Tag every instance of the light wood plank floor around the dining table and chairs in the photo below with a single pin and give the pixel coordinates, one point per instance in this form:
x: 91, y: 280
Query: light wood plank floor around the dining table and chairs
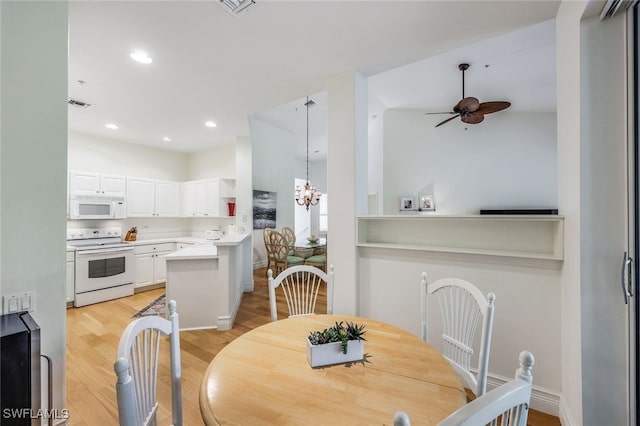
x: 93, y: 333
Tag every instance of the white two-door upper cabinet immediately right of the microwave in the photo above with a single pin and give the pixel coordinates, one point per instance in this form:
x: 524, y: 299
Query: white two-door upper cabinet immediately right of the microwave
x: 149, y: 197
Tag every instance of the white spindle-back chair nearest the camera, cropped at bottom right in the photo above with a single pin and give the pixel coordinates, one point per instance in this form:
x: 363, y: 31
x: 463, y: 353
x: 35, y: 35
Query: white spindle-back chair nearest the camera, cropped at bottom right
x: 506, y: 405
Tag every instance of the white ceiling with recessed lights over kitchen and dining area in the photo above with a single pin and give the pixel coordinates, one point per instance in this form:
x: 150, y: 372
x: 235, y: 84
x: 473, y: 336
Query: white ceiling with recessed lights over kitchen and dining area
x: 209, y: 65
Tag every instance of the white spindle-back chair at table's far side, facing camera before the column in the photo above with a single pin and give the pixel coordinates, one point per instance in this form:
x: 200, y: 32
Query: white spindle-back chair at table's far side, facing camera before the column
x: 300, y: 285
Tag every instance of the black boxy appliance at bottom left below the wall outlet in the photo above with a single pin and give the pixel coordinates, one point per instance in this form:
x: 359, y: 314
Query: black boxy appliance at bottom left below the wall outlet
x: 20, y: 367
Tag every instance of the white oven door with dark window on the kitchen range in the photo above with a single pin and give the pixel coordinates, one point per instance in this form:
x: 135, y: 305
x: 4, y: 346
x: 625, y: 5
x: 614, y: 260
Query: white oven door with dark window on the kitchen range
x: 103, y: 268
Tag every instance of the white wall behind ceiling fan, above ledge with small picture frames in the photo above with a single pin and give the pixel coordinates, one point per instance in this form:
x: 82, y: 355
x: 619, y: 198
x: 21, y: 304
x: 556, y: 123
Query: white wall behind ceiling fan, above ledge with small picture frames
x: 508, y: 161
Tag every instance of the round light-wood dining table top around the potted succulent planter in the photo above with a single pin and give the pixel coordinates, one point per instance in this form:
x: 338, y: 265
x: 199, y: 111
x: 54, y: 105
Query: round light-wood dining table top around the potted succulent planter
x: 263, y: 377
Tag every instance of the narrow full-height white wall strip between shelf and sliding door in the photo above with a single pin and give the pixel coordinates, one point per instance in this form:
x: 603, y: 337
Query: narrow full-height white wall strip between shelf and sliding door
x: 568, y: 84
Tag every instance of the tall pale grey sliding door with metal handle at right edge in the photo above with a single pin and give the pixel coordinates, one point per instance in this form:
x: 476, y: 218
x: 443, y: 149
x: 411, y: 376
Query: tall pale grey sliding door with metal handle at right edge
x: 606, y: 179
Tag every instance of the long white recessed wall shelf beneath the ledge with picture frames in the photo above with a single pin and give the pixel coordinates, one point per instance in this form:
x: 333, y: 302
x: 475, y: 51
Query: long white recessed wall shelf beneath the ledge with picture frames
x: 519, y: 236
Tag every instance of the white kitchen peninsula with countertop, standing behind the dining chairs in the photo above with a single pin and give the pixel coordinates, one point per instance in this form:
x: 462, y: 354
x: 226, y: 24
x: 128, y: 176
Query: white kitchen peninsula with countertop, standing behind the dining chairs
x: 207, y: 281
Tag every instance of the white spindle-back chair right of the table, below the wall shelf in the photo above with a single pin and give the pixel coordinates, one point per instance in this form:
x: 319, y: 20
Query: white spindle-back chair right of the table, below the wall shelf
x: 462, y: 306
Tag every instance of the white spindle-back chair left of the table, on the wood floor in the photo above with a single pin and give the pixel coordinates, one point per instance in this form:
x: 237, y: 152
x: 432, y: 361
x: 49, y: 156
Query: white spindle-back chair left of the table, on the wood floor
x: 136, y: 368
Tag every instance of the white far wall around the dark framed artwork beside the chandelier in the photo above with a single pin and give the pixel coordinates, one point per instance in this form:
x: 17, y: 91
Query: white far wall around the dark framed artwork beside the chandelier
x: 273, y: 170
